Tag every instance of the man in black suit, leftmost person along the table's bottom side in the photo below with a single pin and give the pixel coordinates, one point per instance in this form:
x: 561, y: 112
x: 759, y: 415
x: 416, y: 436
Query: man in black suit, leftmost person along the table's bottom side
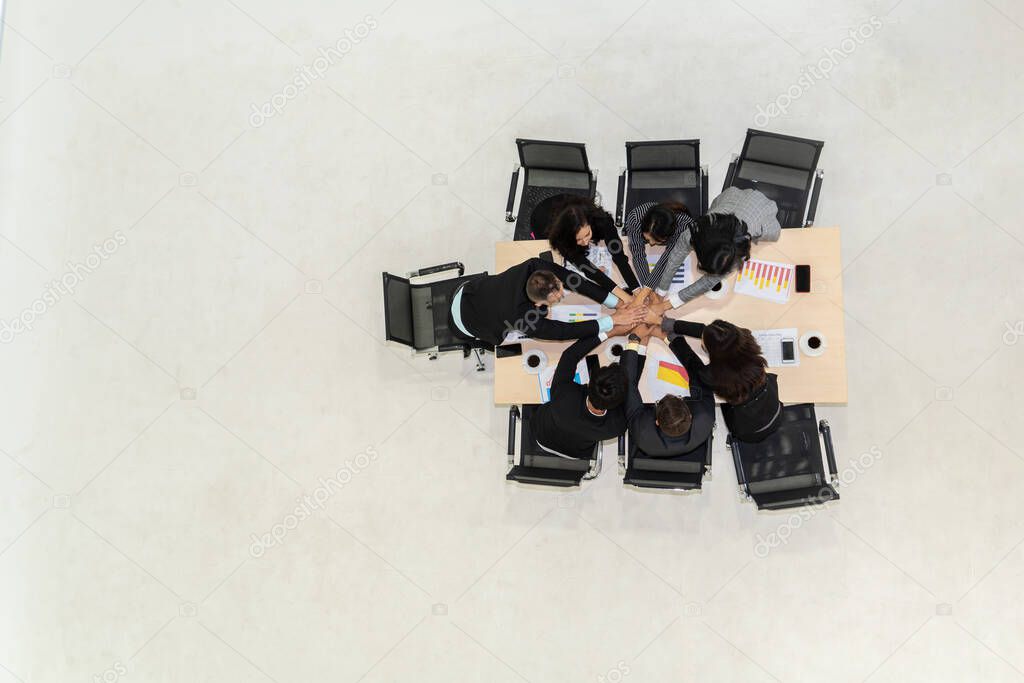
x: 578, y: 417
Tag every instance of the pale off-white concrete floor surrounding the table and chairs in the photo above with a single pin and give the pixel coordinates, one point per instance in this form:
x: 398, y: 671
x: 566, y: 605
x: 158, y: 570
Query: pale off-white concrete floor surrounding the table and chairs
x: 225, y: 354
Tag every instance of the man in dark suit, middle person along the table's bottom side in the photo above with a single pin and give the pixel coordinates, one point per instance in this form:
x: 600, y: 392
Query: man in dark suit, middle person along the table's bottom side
x: 673, y: 426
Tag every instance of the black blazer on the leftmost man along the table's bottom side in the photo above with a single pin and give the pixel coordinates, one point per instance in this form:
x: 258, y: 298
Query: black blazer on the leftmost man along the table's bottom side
x: 565, y: 424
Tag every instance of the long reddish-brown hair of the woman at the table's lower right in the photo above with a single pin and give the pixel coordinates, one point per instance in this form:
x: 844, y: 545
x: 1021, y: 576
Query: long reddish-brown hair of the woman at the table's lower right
x: 737, y: 365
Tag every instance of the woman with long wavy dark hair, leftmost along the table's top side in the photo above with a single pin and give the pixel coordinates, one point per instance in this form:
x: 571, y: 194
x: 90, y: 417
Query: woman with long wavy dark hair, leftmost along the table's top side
x: 578, y: 225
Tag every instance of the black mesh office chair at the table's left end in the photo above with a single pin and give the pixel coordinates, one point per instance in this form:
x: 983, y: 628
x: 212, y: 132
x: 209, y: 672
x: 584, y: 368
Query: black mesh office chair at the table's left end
x: 416, y: 315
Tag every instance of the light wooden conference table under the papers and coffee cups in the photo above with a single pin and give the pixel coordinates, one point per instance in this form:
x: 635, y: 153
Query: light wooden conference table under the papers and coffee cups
x: 820, y: 379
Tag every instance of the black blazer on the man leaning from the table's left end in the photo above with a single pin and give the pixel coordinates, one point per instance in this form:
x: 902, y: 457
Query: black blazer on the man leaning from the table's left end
x: 494, y: 306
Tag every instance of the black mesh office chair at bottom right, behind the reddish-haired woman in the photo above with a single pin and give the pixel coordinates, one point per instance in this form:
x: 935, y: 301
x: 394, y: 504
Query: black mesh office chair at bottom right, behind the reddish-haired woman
x: 786, y: 471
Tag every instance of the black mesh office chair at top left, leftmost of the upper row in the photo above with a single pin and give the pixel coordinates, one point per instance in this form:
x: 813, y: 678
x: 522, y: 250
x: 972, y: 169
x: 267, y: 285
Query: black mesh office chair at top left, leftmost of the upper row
x: 551, y: 168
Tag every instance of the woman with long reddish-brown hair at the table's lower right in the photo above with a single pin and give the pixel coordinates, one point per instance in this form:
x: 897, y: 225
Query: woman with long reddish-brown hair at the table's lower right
x: 738, y: 373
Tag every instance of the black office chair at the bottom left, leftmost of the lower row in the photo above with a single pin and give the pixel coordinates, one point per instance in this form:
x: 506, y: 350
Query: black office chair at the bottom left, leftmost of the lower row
x: 539, y: 467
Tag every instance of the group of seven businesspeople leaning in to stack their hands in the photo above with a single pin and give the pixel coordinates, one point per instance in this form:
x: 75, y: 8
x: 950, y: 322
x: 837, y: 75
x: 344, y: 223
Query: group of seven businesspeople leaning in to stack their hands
x: 578, y: 417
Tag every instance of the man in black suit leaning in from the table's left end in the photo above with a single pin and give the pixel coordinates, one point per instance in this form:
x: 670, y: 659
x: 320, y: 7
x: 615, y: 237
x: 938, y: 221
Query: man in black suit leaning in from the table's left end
x: 492, y: 307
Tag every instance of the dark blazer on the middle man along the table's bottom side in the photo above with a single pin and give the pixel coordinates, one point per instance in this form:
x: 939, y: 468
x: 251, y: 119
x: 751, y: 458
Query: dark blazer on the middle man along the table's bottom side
x: 645, y: 434
